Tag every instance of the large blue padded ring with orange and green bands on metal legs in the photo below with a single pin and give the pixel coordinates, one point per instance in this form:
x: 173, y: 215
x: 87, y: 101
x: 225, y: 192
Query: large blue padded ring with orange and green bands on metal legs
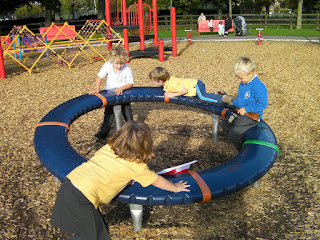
x: 254, y: 160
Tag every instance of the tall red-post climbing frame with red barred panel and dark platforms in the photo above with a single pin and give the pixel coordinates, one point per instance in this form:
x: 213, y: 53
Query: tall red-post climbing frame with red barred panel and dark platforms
x: 139, y: 20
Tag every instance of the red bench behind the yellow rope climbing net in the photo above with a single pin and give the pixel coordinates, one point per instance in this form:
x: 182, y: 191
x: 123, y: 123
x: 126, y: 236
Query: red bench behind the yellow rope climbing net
x: 68, y: 32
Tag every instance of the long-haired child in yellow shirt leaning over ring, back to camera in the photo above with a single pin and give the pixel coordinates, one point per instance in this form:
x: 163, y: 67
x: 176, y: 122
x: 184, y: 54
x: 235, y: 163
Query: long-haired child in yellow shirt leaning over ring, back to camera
x: 100, y: 179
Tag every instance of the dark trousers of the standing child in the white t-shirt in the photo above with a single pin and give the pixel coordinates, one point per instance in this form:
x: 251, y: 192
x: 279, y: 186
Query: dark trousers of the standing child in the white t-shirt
x: 109, y: 116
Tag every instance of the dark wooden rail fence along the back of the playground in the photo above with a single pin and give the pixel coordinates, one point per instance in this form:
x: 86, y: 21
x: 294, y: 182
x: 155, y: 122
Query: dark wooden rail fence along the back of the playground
x: 287, y: 21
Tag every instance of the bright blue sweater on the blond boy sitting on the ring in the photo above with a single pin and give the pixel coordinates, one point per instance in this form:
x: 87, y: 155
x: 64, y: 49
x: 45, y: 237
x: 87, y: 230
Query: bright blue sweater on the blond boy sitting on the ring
x: 253, y: 96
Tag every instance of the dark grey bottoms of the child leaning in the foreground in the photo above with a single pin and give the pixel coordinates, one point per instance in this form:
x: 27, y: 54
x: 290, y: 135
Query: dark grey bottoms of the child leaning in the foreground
x: 74, y: 213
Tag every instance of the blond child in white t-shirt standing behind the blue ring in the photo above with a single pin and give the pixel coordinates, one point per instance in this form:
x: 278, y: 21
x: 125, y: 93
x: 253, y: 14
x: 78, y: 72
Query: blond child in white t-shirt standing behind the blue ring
x: 119, y: 77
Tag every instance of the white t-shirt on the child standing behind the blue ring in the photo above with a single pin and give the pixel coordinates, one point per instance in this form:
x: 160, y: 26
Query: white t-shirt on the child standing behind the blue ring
x: 115, y: 80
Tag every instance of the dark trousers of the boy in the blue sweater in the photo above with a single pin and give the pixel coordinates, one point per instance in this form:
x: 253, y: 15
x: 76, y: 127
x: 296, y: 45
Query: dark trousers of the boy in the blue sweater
x: 236, y: 129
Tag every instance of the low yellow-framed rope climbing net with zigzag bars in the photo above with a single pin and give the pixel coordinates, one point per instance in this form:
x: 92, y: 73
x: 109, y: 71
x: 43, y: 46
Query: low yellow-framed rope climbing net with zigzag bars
x: 46, y: 43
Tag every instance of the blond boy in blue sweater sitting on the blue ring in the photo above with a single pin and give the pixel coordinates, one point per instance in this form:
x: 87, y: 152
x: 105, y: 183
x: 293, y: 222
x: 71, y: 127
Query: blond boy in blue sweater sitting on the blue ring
x: 252, y: 97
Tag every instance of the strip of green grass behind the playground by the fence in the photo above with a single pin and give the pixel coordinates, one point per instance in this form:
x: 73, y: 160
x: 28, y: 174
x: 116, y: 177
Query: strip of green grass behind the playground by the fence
x: 270, y: 31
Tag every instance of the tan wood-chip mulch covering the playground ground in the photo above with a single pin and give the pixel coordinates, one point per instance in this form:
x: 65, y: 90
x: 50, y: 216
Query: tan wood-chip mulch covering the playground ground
x: 286, y: 206
